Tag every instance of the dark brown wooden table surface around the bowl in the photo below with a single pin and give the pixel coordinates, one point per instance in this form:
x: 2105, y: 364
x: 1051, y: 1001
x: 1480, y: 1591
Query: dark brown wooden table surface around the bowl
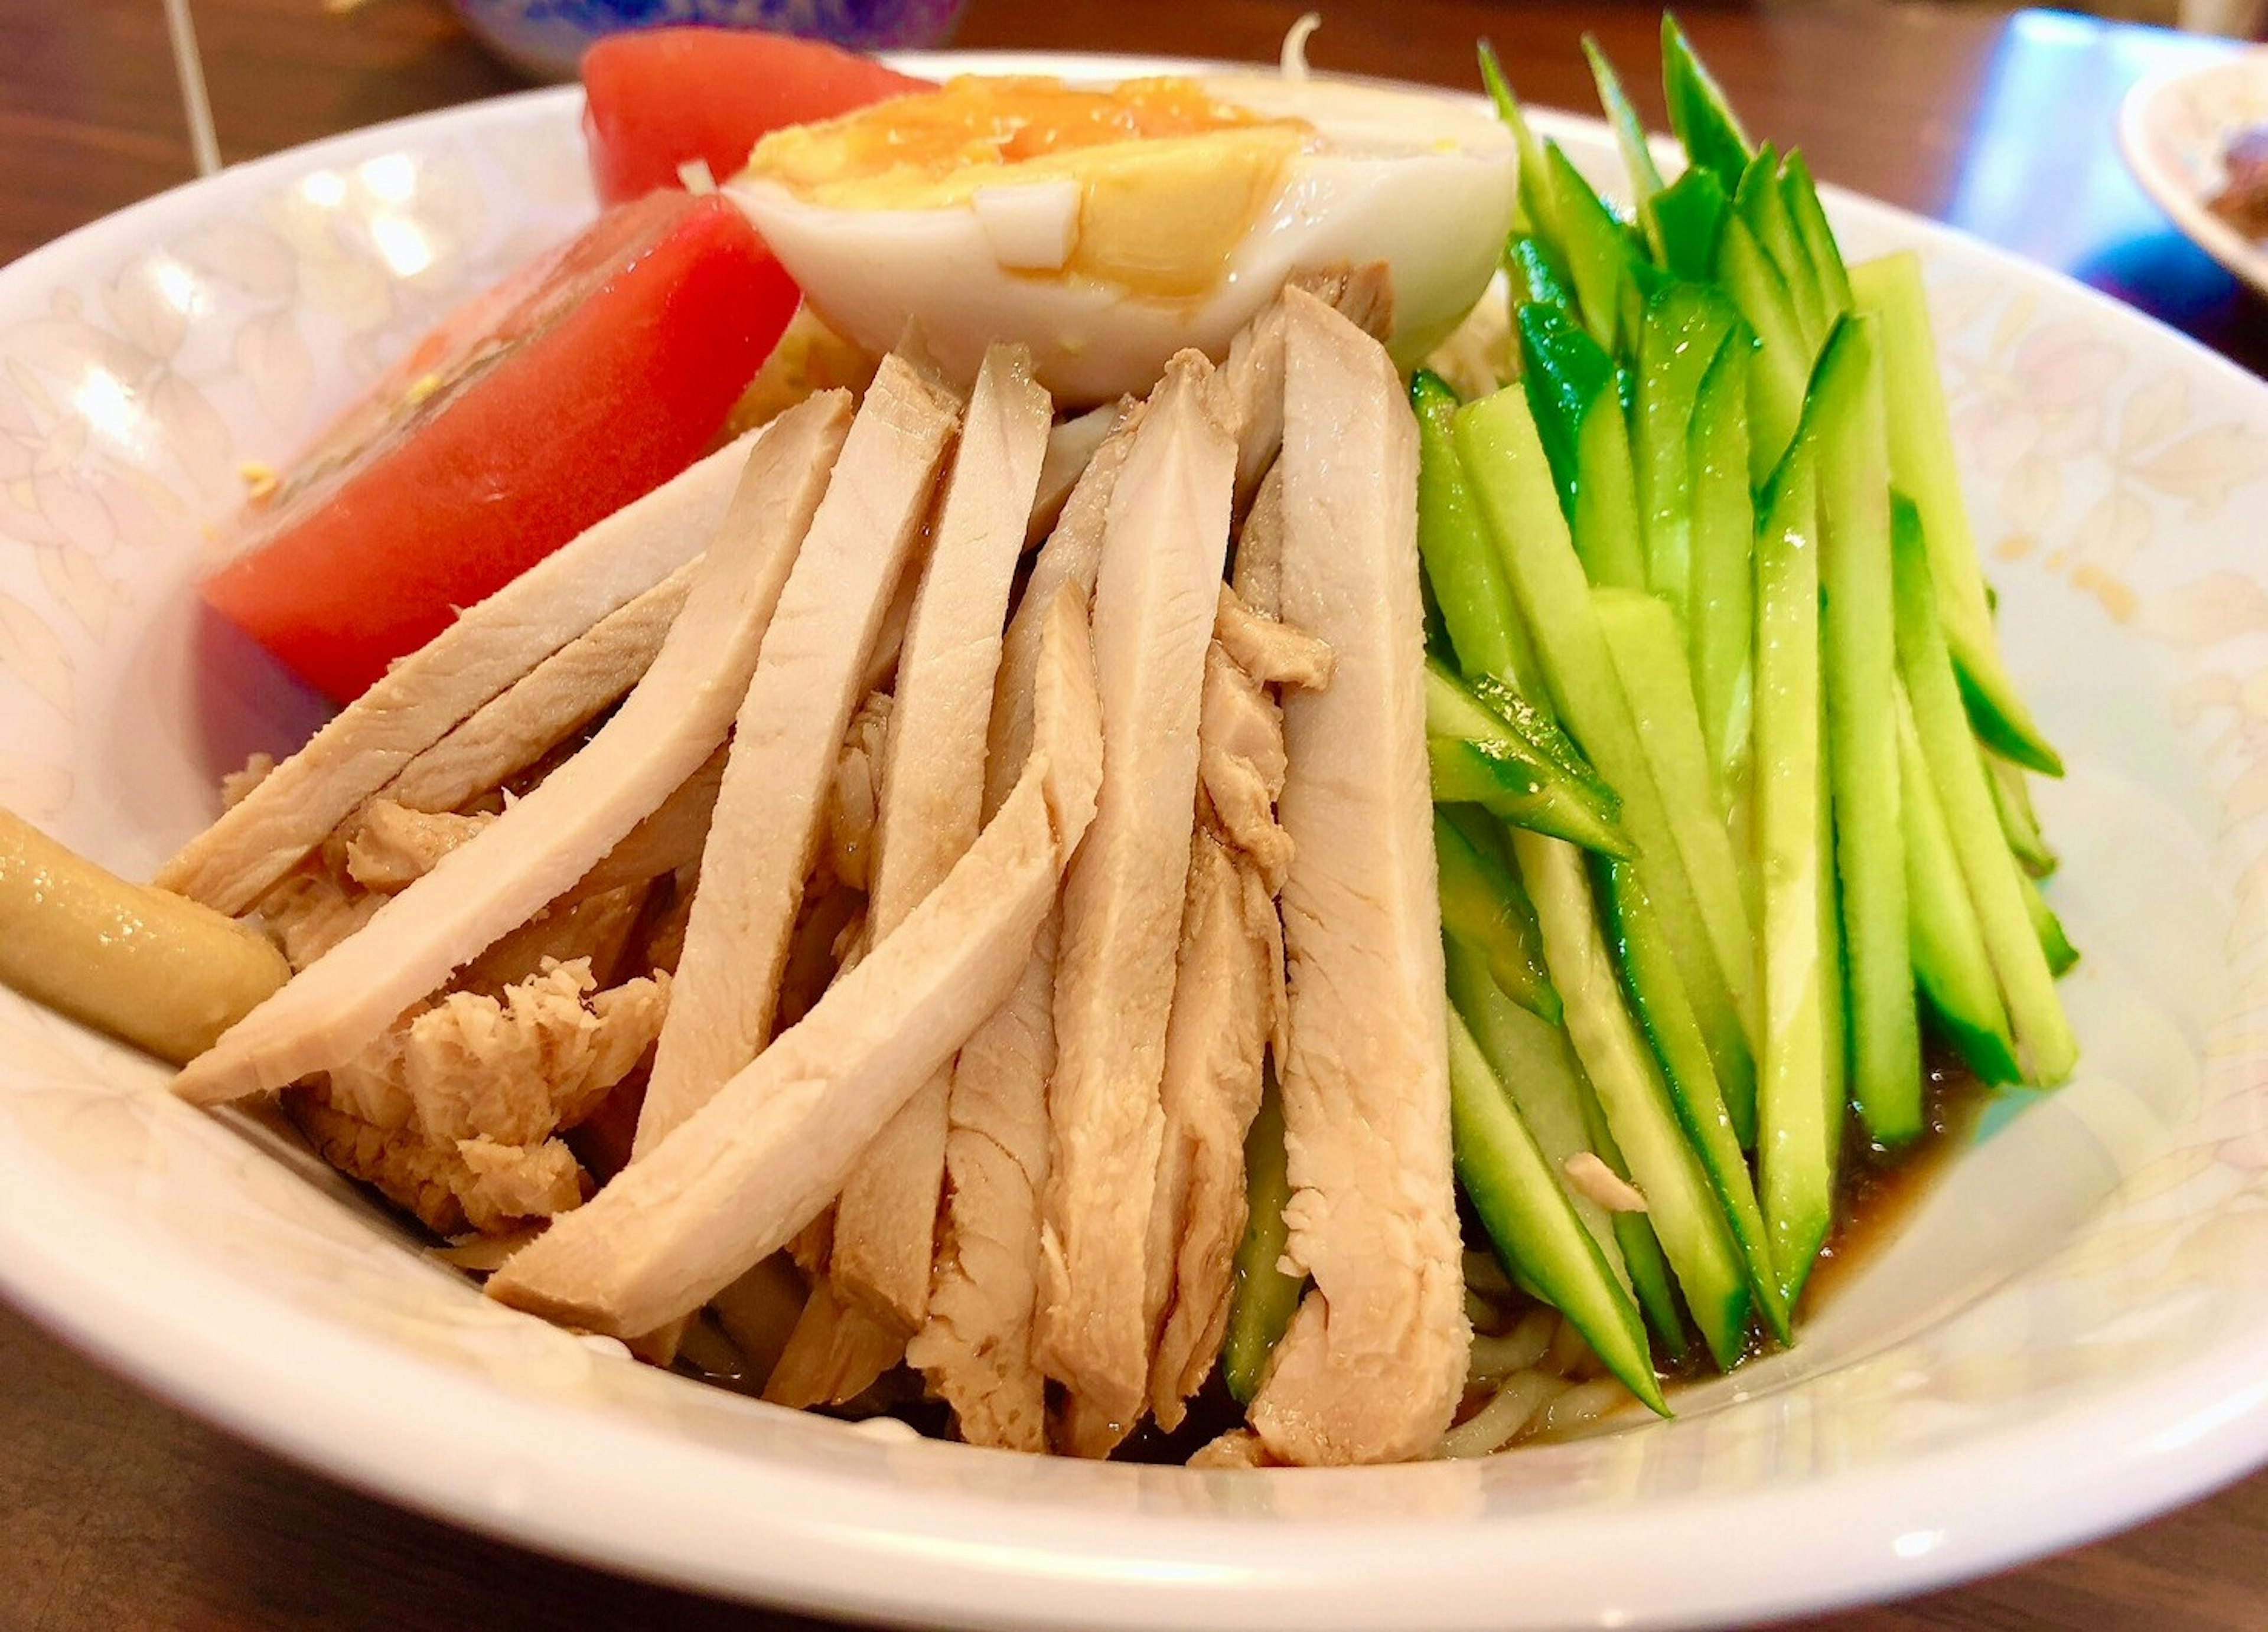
x: 121, y: 1513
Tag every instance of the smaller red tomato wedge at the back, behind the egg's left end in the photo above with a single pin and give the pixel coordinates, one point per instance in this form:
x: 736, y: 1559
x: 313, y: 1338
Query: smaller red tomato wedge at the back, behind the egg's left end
x: 657, y: 99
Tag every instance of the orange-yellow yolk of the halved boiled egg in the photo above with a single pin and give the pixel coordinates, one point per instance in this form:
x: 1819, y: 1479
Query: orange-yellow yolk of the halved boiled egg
x: 1169, y: 180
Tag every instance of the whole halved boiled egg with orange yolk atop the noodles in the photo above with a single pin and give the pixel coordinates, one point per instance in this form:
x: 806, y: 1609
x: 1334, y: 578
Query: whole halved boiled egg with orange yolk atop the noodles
x: 1108, y: 228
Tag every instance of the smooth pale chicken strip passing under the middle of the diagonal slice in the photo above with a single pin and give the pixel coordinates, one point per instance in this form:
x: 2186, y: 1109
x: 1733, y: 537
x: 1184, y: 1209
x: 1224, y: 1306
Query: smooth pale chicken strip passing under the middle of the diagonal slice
x: 933, y: 804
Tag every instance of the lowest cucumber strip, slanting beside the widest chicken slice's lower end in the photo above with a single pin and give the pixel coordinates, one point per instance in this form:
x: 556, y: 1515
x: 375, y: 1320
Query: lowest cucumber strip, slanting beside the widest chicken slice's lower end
x: 1525, y: 1212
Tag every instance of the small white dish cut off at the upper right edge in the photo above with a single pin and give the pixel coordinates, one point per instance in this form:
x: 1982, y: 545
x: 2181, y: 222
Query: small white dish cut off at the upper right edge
x: 2174, y: 128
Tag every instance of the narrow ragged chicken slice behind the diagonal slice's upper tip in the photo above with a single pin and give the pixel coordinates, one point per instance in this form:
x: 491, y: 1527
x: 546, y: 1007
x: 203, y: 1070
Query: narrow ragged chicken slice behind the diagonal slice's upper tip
x: 976, y: 1348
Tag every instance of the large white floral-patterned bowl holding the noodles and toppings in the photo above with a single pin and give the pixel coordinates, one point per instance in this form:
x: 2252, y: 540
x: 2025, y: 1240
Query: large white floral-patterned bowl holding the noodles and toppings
x: 2072, y: 1334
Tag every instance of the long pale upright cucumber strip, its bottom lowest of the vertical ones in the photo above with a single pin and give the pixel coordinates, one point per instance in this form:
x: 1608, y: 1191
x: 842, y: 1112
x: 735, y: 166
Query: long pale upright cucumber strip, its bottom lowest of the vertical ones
x: 1800, y: 1078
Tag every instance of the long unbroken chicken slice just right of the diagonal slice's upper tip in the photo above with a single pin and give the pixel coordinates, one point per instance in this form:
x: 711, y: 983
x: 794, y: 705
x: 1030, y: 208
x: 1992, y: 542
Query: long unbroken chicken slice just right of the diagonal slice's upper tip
x: 1156, y: 602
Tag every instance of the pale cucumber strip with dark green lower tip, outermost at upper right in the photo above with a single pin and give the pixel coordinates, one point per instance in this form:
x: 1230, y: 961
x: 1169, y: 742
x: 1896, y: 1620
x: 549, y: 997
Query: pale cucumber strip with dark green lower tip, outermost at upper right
x: 1927, y: 473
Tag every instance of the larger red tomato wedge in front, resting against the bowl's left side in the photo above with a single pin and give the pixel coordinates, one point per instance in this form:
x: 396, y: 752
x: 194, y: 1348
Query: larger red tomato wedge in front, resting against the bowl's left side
x: 534, y: 411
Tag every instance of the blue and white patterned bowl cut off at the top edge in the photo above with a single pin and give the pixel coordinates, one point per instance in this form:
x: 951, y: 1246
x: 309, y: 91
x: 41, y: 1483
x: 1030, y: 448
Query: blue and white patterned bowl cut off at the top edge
x: 548, y: 37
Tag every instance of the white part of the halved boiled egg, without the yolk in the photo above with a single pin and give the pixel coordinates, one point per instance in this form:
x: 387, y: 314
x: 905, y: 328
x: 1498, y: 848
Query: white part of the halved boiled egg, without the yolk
x: 1403, y: 178
